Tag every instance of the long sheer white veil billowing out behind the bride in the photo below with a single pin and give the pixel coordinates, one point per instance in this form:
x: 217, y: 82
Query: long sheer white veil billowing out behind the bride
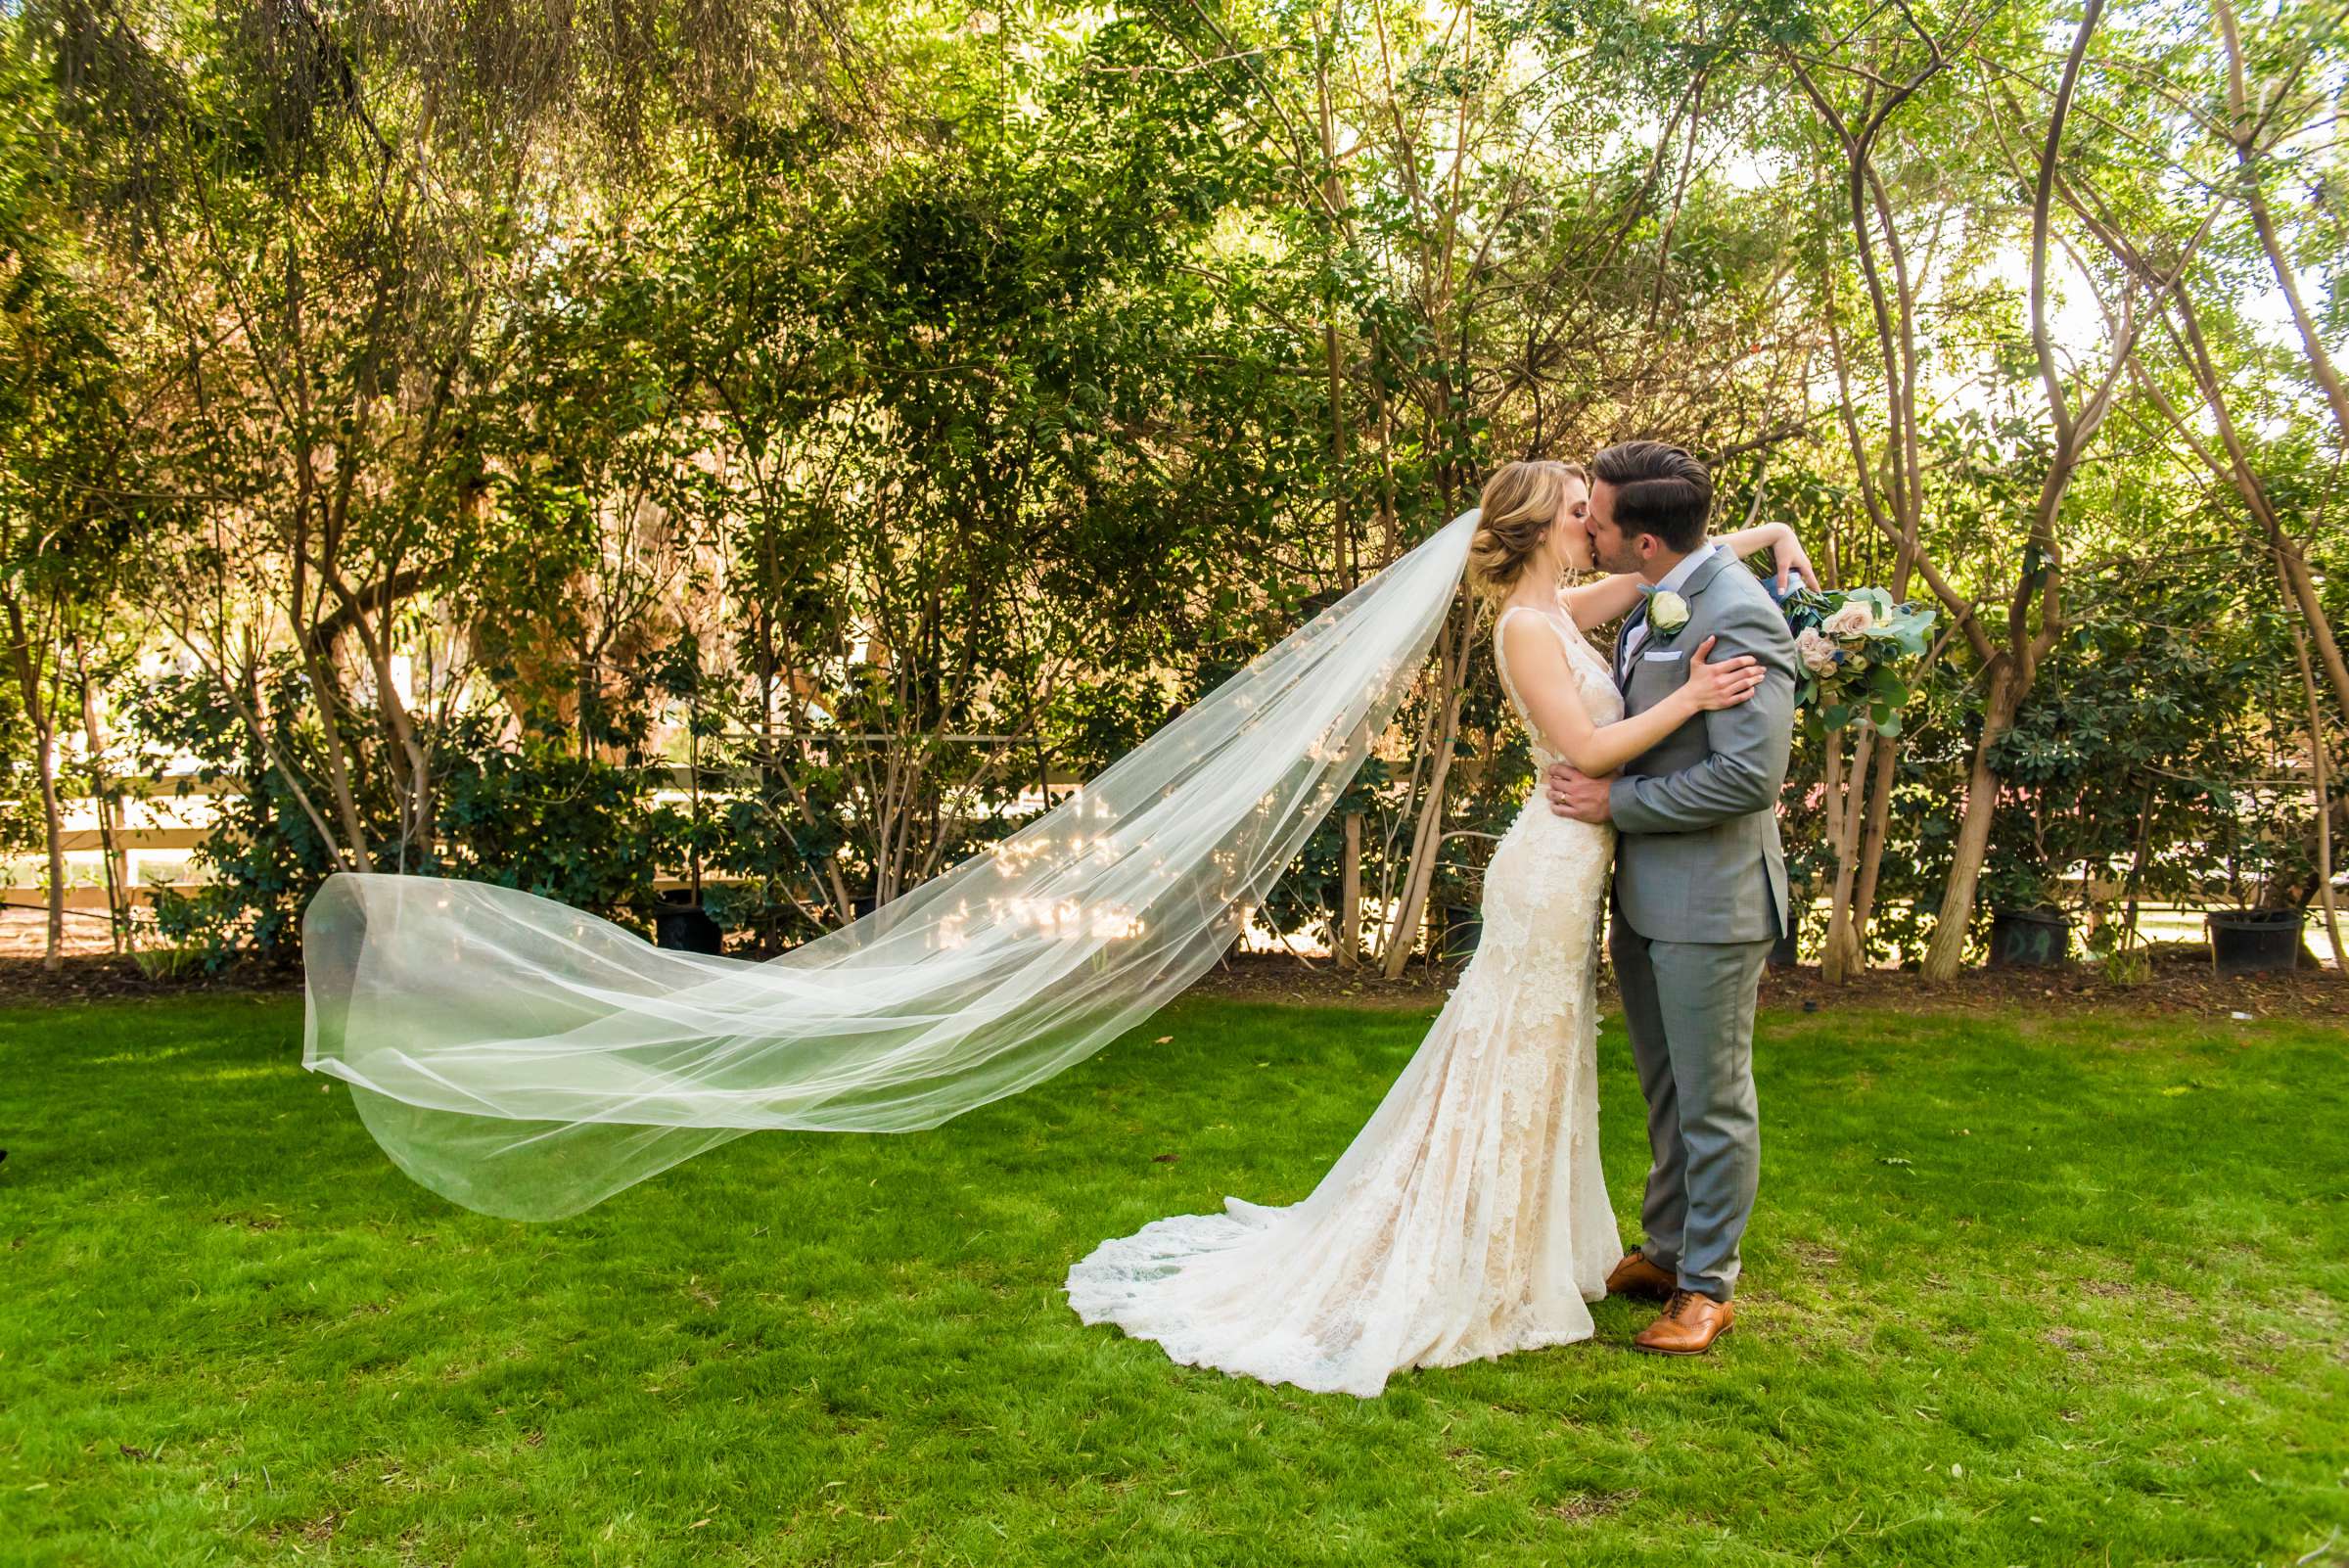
x: 530, y: 1060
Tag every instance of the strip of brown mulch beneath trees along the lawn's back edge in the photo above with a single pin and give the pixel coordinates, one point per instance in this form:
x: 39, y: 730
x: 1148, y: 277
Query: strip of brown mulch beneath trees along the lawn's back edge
x: 2181, y: 985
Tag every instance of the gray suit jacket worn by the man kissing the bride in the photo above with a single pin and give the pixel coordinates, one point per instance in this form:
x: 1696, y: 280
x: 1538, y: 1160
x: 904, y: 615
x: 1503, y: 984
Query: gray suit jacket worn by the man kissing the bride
x: 1700, y: 853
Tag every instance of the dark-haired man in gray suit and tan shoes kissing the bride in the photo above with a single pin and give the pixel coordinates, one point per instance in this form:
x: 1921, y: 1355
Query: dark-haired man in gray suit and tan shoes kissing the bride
x: 1700, y: 888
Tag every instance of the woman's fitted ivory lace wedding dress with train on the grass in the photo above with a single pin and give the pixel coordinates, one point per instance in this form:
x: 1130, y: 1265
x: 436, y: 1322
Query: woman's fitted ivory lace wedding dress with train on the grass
x: 1469, y: 1217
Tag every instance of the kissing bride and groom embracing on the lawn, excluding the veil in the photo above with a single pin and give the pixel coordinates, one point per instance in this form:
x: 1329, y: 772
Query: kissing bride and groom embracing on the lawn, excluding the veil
x: 1469, y: 1217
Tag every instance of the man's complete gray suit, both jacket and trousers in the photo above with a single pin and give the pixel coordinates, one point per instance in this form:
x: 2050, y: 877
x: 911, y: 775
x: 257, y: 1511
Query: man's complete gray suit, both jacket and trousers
x: 1700, y: 895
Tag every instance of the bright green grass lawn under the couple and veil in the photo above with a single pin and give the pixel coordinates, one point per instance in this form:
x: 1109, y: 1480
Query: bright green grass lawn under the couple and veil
x: 2017, y: 1292
